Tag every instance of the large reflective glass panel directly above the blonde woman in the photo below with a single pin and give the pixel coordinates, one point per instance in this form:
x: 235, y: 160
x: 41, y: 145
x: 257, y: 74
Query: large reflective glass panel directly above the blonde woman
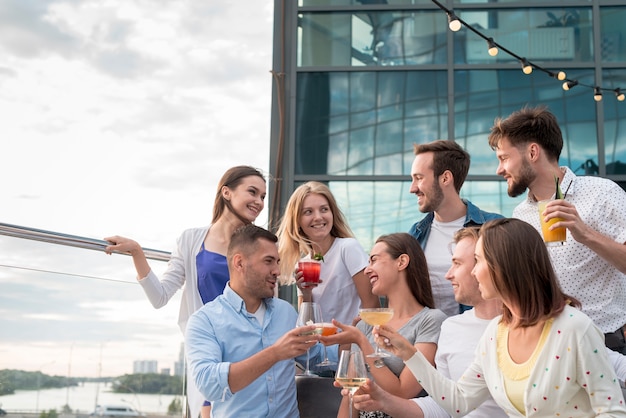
x: 363, y: 123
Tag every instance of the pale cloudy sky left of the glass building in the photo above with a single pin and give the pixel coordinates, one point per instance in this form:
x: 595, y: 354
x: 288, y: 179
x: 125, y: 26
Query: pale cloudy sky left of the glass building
x: 117, y: 117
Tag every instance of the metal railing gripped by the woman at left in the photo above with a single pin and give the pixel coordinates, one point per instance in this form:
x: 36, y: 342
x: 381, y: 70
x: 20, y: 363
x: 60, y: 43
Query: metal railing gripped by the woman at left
x: 71, y: 240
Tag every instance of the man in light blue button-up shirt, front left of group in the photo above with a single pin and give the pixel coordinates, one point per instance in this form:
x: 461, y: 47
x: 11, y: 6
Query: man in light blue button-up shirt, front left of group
x: 241, y: 346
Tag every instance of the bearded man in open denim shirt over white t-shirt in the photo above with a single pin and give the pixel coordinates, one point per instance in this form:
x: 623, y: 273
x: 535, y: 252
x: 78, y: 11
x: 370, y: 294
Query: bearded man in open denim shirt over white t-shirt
x: 437, y: 174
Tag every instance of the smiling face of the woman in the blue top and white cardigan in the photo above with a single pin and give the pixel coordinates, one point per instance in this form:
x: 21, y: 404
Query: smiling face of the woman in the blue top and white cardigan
x: 248, y: 198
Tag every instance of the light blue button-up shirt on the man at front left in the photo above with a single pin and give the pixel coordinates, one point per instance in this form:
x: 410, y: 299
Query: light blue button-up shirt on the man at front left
x: 223, y: 332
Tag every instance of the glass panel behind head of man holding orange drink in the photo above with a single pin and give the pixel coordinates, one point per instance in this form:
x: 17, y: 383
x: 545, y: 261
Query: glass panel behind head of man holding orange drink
x: 483, y: 95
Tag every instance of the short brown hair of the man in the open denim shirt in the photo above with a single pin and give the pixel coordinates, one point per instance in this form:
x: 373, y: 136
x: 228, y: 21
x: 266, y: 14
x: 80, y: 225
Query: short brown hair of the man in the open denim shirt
x: 447, y: 155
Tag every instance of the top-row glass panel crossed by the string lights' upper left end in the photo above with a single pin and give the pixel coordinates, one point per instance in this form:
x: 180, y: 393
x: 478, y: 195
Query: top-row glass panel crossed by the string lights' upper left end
x: 562, y: 34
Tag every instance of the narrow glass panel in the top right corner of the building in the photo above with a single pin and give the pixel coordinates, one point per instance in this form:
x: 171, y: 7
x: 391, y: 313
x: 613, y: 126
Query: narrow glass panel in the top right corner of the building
x: 613, y: 33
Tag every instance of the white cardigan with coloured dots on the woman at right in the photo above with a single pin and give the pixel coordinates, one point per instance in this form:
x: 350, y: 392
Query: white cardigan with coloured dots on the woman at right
x: 571, y: 378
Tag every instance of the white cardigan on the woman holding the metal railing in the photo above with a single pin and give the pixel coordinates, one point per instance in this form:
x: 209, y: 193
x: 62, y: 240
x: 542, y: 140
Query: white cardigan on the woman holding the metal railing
x: 182, y: 266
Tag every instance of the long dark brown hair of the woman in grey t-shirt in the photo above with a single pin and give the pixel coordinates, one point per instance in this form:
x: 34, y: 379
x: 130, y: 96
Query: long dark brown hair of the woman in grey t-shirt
x: 417, y: 276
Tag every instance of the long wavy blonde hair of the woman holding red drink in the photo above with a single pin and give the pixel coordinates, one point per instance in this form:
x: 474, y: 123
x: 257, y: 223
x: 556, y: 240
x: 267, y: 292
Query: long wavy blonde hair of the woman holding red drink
x: 293, y: 244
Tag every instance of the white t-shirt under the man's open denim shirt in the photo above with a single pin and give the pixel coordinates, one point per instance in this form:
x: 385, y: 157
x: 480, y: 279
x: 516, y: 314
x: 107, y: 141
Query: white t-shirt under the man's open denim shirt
x: 438, y: 257
